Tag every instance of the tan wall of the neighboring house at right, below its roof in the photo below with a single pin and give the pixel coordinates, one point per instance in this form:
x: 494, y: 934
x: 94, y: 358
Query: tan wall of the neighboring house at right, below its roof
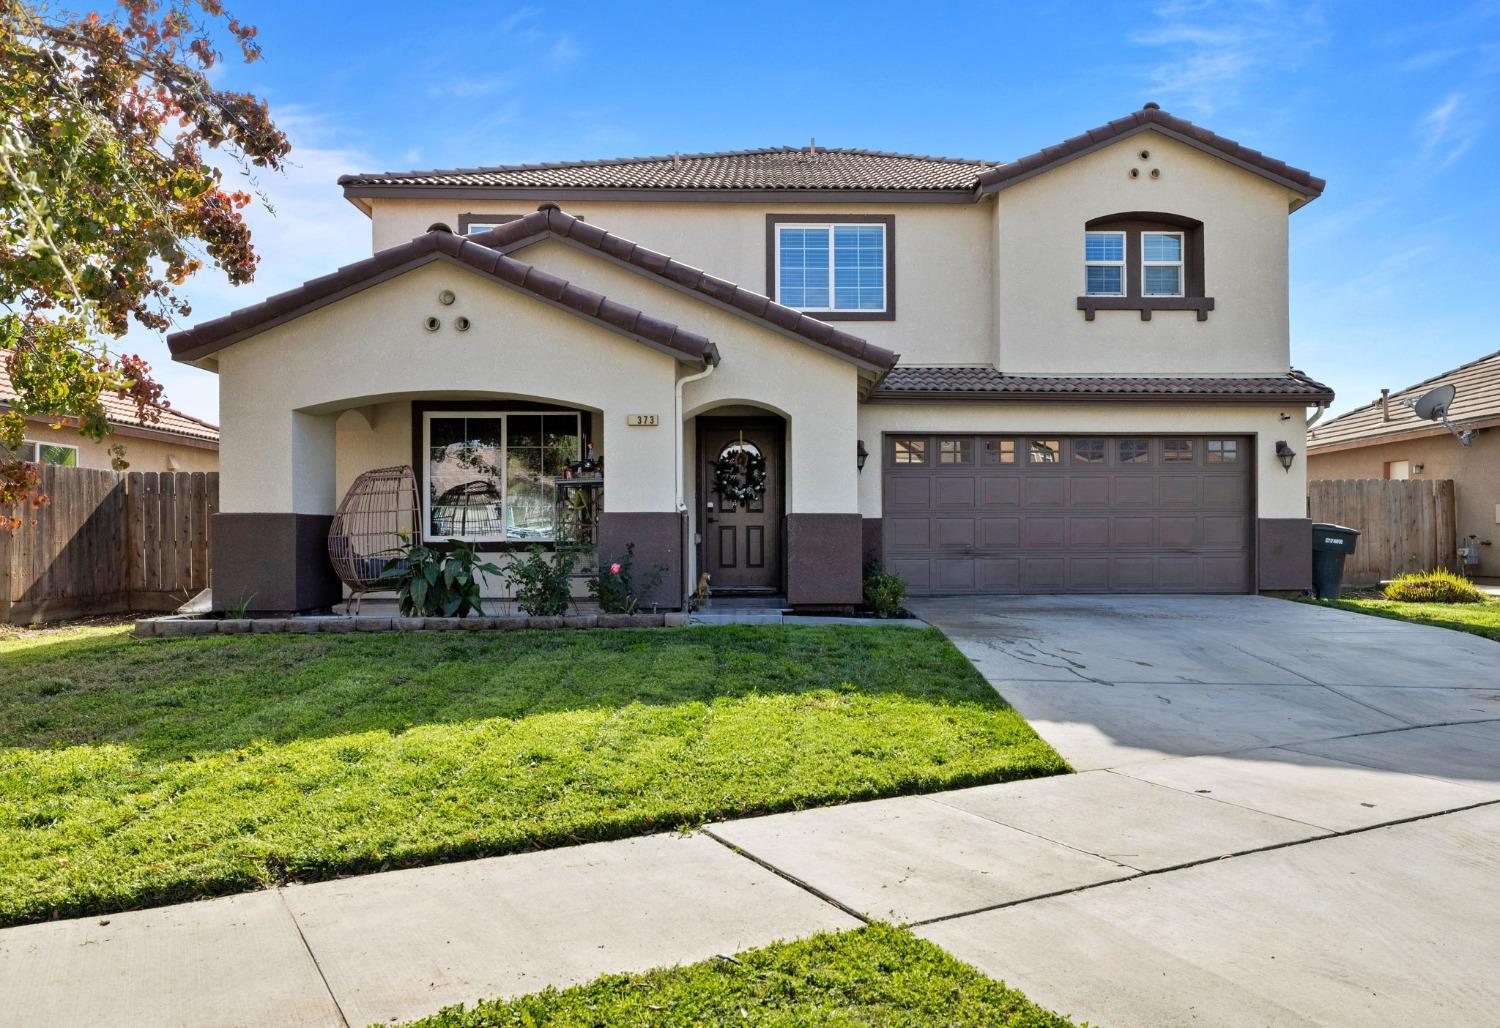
x: 1475, y: 472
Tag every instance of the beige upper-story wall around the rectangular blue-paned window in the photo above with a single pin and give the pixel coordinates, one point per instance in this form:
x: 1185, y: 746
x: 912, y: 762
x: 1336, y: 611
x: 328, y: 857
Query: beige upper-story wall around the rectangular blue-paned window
x: 944, y: 257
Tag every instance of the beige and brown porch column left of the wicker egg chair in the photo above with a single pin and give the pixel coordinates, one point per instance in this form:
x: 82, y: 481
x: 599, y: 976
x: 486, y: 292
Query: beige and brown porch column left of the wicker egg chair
x: 277, y: 500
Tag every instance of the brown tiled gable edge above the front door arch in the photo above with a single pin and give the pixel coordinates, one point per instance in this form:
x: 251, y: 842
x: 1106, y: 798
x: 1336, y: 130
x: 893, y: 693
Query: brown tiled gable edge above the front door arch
x: 553, y: 223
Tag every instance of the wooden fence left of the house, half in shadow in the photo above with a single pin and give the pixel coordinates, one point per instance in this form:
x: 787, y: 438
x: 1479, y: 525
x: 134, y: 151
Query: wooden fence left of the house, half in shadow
x: 109, y: 543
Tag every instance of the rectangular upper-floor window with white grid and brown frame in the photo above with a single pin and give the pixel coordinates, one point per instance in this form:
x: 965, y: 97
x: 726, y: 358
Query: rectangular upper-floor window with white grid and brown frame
x: 838, y: 269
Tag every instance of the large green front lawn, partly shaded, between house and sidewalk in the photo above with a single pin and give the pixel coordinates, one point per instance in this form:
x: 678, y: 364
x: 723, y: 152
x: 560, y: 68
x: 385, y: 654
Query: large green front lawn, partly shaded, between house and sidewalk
x: 140, y: 772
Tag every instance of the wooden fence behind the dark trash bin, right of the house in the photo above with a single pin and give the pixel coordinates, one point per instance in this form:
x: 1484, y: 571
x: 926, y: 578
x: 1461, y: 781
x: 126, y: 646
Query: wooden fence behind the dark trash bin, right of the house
x: 1406, y: 526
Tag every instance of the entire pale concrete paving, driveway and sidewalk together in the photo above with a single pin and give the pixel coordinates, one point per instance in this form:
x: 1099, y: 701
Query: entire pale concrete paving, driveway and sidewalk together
x: 1250, y: 846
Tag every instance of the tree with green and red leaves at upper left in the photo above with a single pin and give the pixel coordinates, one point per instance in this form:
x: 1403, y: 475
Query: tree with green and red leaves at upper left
x: 109, y: 202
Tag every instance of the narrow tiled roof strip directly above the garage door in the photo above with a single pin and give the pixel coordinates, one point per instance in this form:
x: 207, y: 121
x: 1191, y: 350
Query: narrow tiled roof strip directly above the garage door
x: 985, y: 383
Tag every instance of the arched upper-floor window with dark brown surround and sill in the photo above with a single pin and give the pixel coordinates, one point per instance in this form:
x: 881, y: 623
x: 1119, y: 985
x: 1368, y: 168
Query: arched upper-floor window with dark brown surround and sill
x: 1144, y: 262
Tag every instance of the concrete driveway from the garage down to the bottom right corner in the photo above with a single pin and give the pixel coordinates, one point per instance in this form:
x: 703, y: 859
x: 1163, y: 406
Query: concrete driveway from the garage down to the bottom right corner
x: 1379, y: 741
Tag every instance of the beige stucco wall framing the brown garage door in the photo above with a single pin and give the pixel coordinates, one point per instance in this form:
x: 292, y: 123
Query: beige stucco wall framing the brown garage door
x: 1279, y: 493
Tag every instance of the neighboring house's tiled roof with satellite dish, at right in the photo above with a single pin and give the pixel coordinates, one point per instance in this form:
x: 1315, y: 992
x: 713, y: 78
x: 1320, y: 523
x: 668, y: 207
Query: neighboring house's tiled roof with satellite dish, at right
x: 1477, y: 404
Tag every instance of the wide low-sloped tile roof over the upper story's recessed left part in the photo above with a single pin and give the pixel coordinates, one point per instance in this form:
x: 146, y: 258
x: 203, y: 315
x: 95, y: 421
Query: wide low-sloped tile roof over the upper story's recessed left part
x: 769, y: 169
